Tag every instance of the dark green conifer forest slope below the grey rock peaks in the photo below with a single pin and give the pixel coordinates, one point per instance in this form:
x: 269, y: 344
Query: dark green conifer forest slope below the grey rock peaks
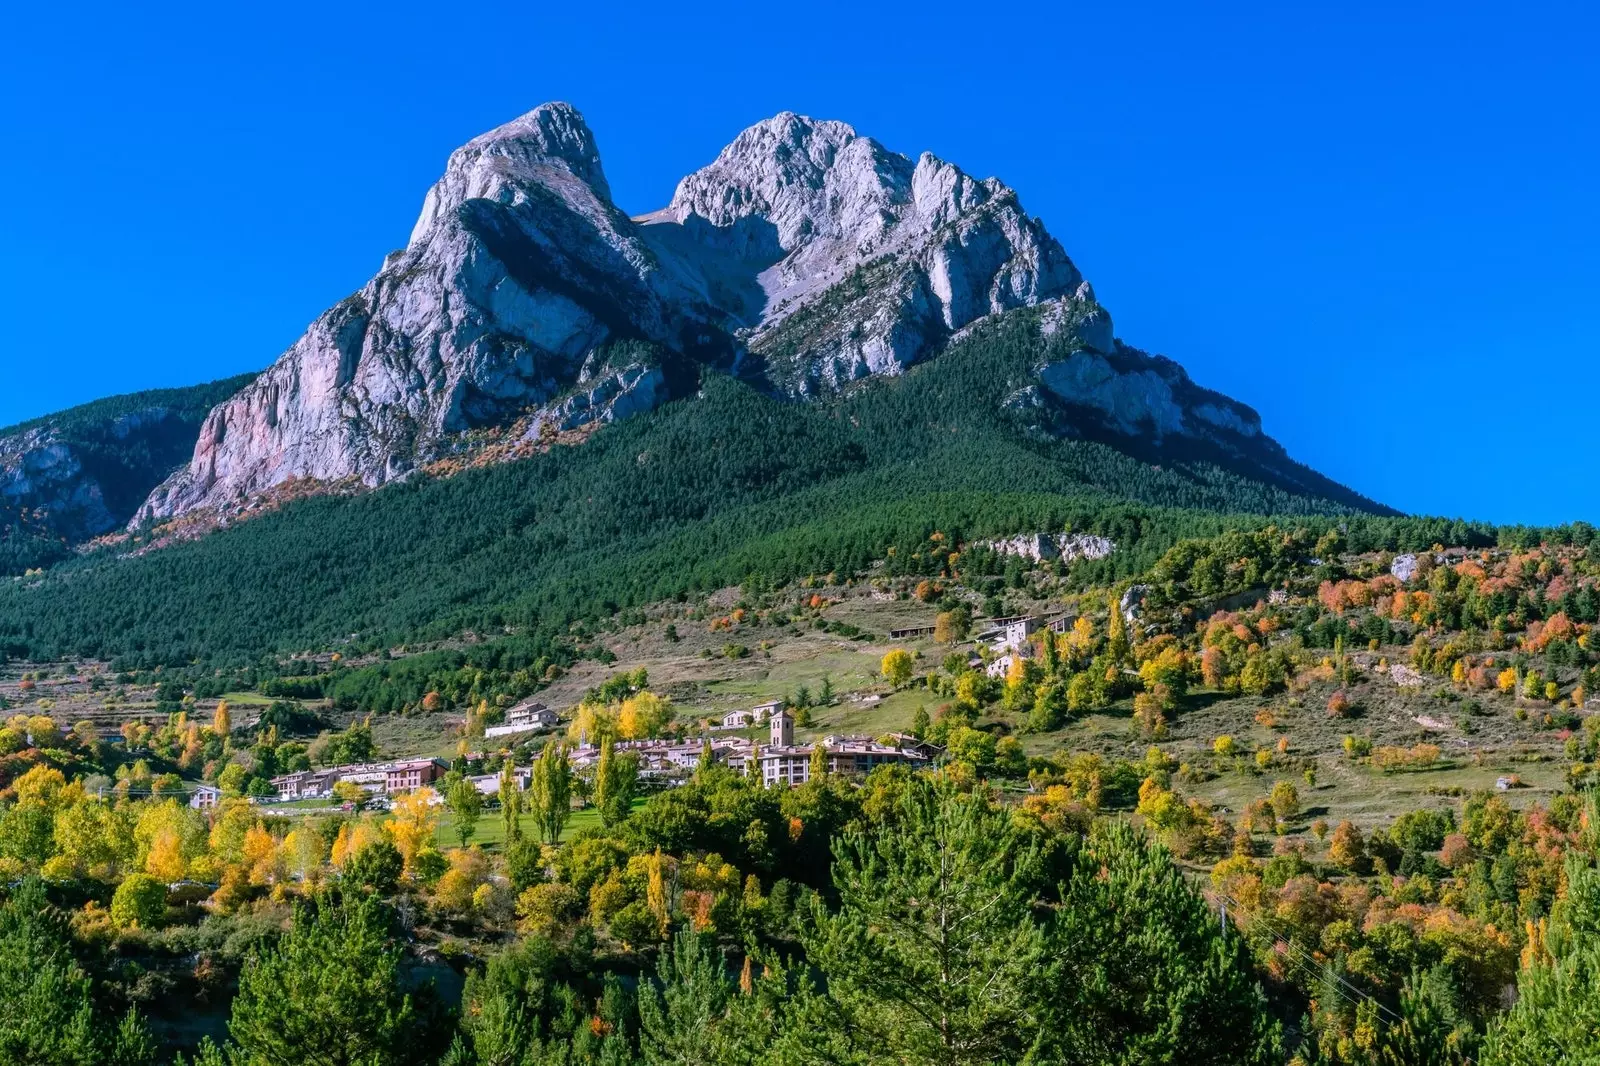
x: 703, y: 494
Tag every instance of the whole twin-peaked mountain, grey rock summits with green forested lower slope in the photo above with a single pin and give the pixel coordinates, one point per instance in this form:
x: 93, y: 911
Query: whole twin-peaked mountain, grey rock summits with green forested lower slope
x: 814, y: 359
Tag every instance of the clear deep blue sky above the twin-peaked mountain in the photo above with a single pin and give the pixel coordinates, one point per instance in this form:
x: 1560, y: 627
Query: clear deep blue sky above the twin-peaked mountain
x: 1375, y: 223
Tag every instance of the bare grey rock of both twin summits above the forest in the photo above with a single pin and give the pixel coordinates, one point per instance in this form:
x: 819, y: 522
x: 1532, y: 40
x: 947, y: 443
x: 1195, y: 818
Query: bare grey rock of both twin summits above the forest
x: 804, y: 258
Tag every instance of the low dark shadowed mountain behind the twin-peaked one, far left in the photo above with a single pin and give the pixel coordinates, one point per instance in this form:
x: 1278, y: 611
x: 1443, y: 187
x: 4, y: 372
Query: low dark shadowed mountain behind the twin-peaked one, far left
x: 82, y: 473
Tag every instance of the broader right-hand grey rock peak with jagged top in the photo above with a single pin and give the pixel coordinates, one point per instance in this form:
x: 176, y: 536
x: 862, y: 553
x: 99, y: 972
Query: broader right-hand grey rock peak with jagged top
x: 854, y: 260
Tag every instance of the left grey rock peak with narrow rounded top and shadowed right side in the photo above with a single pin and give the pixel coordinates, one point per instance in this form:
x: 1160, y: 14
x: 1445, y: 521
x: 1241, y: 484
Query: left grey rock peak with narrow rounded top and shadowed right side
x: 519, y: 271
